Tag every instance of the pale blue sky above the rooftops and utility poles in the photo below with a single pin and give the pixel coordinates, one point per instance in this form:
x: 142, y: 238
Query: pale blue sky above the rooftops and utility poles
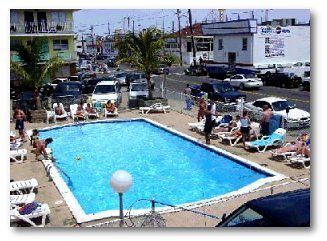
x: 143, y: 18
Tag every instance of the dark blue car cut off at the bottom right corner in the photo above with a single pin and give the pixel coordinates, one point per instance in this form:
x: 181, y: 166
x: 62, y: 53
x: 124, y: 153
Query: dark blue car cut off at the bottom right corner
x: 289, y: 209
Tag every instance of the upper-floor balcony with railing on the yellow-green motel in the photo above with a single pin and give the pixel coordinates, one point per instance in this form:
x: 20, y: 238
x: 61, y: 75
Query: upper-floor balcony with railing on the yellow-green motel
x: 42, y: 28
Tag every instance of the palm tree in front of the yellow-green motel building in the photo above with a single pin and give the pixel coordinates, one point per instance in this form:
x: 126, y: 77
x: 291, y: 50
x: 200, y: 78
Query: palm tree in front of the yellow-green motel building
x: 32, y: 69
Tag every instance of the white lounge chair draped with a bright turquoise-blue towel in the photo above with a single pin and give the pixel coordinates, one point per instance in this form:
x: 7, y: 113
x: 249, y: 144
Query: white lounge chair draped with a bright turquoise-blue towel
x: 275, y: 139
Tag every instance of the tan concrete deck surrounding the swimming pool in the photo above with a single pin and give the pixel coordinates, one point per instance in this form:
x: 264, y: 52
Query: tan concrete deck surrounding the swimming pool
x: 61, y: 216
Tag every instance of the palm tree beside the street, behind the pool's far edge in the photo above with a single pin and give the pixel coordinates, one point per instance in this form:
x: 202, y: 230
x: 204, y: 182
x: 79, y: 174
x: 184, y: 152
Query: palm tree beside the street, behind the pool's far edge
x: 144, y: 51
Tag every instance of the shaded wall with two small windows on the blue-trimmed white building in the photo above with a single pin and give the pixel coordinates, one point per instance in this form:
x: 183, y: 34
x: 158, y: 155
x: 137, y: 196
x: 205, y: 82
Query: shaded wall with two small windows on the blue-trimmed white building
x: 233, y: 43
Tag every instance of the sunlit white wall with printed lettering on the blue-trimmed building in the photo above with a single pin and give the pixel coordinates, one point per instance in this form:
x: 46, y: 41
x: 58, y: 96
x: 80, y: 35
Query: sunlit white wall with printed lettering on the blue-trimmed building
x: 294, y: 43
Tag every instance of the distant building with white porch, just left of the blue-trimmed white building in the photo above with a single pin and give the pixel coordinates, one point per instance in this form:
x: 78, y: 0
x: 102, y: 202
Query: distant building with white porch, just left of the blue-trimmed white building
x: 203, y: 44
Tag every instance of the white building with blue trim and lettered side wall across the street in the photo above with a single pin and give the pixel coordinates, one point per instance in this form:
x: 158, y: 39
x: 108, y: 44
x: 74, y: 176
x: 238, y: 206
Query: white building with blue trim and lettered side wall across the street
x: 247, y: 44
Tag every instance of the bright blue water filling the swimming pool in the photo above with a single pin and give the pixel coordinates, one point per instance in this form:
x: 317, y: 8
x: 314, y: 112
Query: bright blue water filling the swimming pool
x: 164, y: 166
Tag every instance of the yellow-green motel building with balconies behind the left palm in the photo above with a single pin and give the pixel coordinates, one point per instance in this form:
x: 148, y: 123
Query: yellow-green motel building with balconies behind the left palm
x: 54, y: 26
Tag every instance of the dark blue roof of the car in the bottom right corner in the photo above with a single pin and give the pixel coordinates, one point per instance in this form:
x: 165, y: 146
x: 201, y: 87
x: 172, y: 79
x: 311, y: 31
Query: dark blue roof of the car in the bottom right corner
x: 290, y: 209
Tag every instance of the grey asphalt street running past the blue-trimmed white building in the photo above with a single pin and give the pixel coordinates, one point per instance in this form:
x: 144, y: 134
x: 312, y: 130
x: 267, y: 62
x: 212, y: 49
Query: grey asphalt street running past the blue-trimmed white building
x: 176, y: 81
